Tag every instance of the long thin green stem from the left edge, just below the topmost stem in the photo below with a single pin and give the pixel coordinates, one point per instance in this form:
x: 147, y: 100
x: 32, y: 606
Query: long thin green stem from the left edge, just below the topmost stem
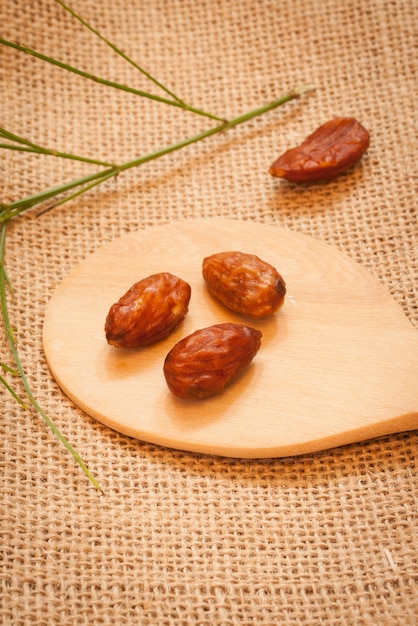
x: 103, y: 81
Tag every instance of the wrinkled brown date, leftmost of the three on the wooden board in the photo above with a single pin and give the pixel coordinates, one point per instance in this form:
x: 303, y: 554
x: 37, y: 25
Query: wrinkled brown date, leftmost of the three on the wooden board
x: 148, y: 311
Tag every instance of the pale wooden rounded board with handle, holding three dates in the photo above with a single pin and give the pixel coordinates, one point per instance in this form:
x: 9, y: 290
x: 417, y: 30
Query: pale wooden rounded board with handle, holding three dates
x: 338, y: 362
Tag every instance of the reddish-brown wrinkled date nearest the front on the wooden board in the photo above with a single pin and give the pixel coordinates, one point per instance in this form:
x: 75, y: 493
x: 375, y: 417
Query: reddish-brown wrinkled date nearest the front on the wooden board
x: 208, y: 360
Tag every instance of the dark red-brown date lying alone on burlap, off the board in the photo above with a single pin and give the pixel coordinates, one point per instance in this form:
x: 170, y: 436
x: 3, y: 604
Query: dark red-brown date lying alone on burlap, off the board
x: 329, y: 151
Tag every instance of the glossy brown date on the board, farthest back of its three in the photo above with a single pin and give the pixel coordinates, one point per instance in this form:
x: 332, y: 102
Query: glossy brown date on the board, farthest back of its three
x: 244, y: 283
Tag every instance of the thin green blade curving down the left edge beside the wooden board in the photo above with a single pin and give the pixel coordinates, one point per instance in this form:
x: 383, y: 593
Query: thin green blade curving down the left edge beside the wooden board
x: 20, y: 369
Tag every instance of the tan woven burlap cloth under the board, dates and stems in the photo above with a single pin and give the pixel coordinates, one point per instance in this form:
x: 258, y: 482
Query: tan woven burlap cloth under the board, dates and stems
x: 182, y: 538
